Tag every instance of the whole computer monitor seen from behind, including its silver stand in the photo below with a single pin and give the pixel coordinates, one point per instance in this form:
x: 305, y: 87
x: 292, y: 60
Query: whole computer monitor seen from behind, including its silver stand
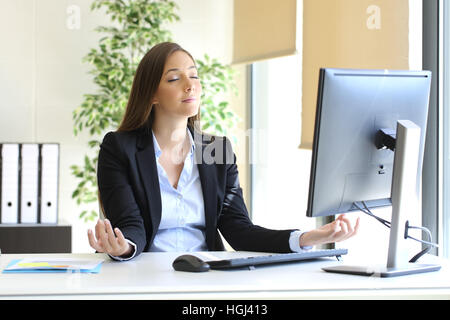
x: 368, y: 148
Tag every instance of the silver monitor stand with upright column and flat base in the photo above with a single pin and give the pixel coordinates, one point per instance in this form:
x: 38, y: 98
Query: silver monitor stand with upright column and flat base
x: 404, y: 202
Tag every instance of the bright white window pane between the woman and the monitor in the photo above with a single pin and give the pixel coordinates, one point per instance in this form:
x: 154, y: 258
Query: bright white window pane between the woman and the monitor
x: 280, y: 170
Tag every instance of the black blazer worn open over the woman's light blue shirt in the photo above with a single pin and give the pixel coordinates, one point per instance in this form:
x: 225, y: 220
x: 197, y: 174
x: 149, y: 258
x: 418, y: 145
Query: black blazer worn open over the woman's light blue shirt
x: 130, y: 193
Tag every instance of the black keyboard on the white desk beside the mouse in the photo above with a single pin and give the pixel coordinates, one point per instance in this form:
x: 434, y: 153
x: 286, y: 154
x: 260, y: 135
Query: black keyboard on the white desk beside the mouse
x: 275, y: 258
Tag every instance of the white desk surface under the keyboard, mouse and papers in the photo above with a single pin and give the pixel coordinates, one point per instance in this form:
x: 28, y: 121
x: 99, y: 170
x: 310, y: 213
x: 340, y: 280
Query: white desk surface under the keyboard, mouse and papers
x: 150, y: 276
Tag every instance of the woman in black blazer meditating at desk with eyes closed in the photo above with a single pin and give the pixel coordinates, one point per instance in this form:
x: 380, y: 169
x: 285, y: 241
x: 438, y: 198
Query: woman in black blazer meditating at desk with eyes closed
x: 165, y: 186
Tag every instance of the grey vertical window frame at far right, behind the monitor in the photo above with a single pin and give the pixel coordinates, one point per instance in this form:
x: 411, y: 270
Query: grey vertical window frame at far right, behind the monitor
x: 434, y: 205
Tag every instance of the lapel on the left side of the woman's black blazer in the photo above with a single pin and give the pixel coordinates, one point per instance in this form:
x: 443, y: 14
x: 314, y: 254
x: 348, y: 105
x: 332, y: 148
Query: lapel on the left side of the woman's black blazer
x: 146, y: 161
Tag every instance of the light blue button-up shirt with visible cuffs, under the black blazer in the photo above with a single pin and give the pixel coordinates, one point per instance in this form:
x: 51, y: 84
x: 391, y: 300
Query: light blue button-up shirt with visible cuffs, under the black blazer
x: 182, y: 226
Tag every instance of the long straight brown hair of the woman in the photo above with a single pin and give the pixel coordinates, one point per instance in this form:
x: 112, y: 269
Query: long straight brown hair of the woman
x: 145, y: 83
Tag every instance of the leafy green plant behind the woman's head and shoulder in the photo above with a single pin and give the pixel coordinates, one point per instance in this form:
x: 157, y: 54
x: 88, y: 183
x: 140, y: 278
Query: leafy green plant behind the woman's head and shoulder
x: 137, y: 26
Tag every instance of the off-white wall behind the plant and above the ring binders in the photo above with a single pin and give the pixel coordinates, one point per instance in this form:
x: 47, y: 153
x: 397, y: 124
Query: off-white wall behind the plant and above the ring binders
x: 42, y: 78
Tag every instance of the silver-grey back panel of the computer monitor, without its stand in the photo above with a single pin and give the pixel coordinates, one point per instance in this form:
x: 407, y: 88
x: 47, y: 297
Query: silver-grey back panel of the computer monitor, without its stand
x: 352, y: 106
